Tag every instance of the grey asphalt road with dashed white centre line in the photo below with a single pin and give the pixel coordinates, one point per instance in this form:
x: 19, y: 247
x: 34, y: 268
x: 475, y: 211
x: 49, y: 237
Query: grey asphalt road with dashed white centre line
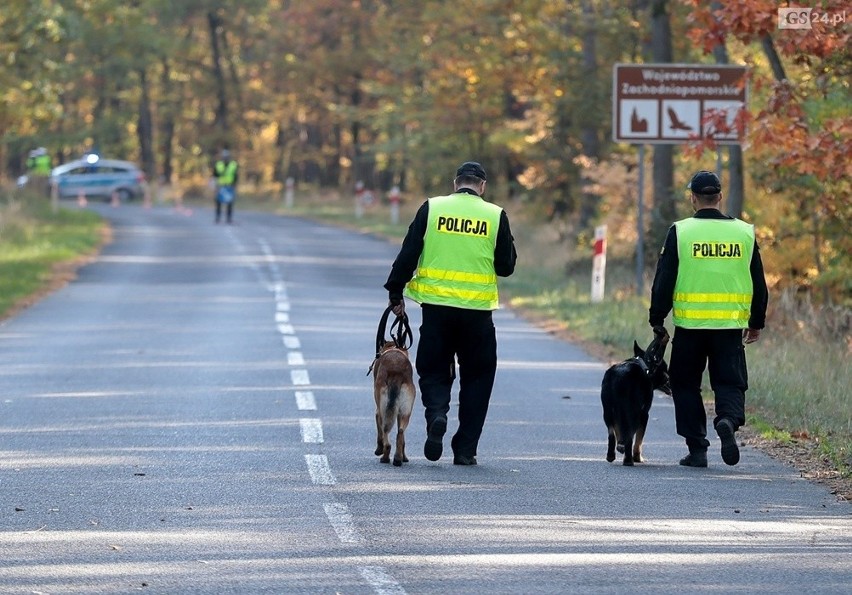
x: 192, y: 415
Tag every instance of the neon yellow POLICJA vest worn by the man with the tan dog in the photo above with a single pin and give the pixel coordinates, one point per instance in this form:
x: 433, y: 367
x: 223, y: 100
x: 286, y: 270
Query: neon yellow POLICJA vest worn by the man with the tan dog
x: 456, y: 266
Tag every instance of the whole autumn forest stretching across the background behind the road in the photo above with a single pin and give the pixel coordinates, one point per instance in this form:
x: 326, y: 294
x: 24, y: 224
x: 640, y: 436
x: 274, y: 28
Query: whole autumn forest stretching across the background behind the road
x: 397, y: 92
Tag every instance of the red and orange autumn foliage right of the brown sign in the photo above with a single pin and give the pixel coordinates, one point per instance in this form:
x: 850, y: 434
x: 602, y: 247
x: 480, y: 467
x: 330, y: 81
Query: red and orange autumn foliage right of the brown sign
x: 800, y: 129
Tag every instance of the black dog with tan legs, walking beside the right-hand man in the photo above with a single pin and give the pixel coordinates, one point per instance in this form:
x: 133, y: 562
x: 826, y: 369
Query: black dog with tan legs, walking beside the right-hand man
x: 627, y: 392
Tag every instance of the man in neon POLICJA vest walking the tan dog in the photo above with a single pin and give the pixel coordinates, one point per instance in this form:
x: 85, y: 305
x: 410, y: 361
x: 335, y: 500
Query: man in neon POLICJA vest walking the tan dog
x: 449, y: 262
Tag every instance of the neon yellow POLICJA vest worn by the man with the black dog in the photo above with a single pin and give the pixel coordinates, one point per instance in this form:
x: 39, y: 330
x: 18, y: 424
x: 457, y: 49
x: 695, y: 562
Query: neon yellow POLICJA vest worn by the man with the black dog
x: 714, y: 287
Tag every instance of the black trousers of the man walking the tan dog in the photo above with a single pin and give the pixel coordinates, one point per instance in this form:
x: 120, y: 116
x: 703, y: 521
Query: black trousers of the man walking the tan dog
x: 448, y: 333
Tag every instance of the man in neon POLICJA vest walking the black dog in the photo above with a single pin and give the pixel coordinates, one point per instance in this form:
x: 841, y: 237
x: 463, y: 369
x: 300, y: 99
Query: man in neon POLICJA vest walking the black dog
x: 710, y: 276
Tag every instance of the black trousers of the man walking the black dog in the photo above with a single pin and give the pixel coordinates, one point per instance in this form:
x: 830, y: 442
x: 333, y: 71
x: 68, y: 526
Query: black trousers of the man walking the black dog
x: 723, y: 354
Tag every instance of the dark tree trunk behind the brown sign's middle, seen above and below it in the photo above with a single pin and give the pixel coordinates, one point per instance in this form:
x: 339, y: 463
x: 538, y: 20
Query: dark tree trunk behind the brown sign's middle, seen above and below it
x: 664, y: 212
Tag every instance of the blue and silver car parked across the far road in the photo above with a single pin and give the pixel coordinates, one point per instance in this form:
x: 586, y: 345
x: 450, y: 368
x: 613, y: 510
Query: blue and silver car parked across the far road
x: 96, y: 177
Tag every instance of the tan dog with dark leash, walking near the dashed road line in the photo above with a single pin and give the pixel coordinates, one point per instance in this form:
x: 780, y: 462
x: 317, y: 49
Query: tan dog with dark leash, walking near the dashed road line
x: 393, y: 387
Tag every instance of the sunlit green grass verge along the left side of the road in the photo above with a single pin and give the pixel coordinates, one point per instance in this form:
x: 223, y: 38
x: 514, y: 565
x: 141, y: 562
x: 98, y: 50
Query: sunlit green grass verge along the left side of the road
x: 34, y: 240
